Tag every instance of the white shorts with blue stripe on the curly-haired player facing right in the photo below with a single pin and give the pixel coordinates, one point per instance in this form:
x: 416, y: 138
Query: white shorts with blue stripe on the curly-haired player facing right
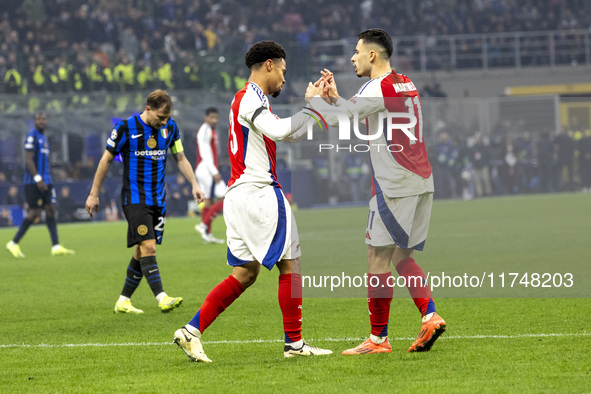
x: 259, y: 226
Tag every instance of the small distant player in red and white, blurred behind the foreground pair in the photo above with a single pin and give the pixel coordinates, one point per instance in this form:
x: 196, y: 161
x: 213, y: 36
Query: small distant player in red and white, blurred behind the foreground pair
x: 208, y: 175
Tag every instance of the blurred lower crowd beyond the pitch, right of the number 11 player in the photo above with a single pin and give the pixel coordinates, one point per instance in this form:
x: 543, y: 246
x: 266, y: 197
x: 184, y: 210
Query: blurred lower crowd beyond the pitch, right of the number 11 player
x: 516, y: 163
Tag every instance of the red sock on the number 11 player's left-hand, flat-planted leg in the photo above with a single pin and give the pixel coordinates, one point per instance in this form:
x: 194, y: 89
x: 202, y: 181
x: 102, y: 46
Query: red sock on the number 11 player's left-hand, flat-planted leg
x: 379, y: 298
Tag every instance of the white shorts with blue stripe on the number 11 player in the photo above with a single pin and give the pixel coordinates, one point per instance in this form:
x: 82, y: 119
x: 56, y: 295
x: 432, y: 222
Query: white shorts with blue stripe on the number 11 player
x: 401, y: 222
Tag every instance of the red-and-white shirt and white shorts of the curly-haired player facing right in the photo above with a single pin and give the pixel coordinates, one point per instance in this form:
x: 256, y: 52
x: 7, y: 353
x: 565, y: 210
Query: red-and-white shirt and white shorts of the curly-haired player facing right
x: 259, y: 221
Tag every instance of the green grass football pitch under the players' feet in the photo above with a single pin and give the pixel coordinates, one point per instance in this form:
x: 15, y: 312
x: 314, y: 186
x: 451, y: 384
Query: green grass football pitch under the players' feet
x: 58, y: 332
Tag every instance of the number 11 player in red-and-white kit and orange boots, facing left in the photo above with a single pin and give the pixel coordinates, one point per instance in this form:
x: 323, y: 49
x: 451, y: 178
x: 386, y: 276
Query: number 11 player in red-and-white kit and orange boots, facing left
x: 400, y: 208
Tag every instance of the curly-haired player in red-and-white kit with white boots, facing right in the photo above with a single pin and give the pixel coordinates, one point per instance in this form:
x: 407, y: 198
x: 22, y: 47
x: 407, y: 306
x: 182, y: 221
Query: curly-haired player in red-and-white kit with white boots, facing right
x: 261, y: 229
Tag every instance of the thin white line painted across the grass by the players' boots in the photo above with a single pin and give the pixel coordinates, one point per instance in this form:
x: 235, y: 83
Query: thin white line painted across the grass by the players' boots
x: 43, y: 345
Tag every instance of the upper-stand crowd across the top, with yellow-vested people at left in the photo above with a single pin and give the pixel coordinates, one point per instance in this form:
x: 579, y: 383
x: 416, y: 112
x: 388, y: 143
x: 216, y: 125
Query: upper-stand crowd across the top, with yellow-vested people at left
x: 59, y: 45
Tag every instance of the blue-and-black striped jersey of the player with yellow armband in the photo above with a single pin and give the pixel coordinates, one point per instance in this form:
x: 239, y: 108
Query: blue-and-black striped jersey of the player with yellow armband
x: 143, y: 150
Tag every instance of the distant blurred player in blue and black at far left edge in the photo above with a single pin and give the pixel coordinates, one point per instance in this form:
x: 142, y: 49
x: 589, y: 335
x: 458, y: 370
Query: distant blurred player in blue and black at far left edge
x: 39, y: 191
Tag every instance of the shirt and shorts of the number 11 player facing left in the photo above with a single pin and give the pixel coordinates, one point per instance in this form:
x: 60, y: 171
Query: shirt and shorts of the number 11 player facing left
x: 400, y: 174
